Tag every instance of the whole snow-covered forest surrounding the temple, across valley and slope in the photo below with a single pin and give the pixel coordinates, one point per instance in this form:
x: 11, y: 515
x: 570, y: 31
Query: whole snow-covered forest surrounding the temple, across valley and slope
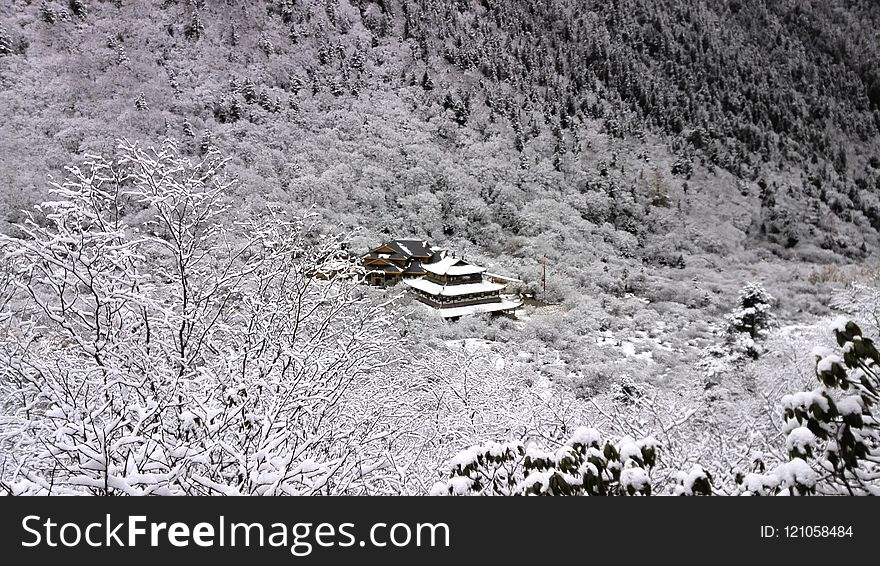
x: 686, y: 195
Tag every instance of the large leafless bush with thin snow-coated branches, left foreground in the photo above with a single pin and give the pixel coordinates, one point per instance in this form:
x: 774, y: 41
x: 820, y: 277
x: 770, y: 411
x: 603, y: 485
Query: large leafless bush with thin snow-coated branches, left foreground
x: 156, y: 344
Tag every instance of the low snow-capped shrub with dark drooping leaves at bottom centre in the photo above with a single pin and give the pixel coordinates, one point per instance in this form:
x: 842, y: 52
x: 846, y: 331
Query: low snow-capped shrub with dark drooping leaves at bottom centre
x: 585, y: 465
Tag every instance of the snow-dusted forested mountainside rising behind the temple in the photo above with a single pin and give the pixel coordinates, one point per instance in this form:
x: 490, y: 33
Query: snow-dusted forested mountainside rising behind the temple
x: 476, y: 114
